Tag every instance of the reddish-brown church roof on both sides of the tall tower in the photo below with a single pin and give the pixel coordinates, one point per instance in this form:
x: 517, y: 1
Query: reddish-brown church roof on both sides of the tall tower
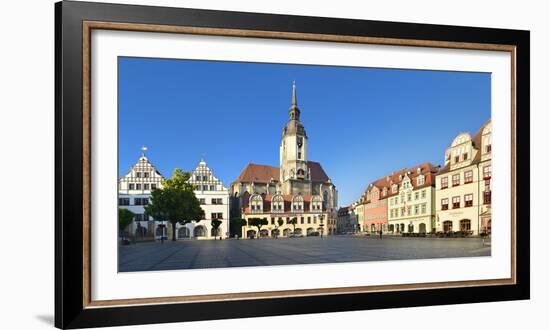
x: 264, y: 173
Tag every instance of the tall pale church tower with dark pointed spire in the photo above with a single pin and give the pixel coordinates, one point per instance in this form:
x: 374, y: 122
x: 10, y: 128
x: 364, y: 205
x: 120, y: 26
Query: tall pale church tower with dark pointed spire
x: 294, y: 170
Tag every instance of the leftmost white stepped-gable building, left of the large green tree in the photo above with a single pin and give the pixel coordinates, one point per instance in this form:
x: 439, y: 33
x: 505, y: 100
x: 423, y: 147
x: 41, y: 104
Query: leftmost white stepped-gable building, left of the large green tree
x: 134, y: 192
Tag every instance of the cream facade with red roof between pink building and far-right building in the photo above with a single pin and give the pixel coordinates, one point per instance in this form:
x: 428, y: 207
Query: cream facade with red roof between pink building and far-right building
x: 411, y: 200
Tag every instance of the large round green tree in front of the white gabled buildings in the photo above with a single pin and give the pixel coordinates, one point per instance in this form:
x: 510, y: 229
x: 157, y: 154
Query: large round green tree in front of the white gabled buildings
x: 175, y: 202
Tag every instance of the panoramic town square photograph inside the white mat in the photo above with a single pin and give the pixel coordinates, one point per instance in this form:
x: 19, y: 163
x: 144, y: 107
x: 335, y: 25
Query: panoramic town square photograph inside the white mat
x: 236, y: 164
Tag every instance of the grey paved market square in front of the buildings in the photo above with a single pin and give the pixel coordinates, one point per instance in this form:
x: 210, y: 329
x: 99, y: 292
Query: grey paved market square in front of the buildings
x: 197, y: 254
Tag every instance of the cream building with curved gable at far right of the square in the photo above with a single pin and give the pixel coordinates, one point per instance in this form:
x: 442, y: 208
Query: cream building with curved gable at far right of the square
x: 463, y: 186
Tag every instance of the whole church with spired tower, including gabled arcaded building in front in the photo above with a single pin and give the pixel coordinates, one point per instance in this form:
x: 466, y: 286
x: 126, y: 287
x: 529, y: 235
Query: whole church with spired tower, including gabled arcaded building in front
x: 300, y: 187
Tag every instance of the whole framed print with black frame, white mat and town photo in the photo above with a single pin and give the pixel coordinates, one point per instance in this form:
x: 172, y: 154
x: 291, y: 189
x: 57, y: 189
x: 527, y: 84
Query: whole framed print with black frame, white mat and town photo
x: 261, y: 164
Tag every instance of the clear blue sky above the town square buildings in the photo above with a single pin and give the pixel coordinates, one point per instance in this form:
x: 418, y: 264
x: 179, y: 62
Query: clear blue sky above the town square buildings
x: 362, y: 123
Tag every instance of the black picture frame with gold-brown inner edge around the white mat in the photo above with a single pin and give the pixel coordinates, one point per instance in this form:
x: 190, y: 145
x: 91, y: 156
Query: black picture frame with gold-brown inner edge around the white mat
x: 74, y: 307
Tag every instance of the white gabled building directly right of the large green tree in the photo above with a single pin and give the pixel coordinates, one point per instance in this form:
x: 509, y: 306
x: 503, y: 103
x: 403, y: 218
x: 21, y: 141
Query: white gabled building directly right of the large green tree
x: 214, y: 199
